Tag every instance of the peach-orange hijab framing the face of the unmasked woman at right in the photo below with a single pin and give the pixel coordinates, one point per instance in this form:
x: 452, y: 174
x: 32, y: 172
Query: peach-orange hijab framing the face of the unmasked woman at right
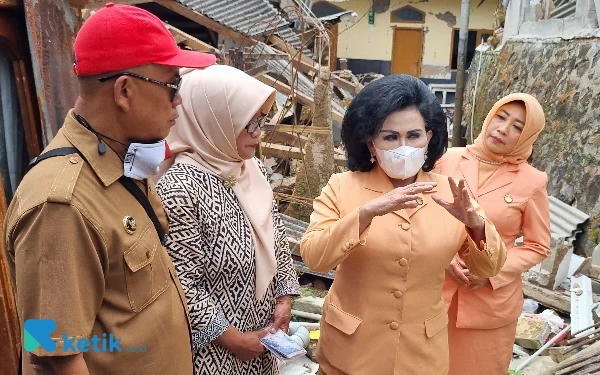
x: 534, y: 124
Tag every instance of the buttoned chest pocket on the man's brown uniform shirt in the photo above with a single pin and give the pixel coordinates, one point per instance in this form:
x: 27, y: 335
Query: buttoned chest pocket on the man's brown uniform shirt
x: 146, y: 276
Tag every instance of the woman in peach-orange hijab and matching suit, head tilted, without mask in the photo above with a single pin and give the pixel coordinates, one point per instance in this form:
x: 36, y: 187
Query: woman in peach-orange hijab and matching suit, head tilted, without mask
x: 513, y: 195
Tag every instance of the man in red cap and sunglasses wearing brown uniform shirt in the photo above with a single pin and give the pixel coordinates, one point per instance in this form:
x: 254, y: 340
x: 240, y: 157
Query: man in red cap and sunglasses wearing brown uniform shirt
x: 96, y: 291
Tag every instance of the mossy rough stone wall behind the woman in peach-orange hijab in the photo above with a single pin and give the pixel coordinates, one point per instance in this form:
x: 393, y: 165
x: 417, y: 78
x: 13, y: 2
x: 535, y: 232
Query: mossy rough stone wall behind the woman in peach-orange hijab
x: 564, y: 75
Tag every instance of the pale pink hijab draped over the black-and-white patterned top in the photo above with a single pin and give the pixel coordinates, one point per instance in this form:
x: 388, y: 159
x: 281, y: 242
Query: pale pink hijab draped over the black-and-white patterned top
x: 218, y: 102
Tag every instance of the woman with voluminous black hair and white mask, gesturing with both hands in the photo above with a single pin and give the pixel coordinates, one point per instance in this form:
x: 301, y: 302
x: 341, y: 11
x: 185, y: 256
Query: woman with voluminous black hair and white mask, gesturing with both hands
x: 391, y: 231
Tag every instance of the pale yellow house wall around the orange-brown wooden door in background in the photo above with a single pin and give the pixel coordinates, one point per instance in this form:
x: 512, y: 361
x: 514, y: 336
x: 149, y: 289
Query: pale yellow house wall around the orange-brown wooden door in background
x: 370, y: 46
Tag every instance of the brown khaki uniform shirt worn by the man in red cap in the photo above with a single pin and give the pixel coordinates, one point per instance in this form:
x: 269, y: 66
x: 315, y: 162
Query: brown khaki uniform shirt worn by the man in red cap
x: 72, y: 261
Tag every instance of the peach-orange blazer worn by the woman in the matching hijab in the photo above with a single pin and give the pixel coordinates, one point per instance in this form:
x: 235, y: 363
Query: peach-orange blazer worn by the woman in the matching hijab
x: 516, y: 201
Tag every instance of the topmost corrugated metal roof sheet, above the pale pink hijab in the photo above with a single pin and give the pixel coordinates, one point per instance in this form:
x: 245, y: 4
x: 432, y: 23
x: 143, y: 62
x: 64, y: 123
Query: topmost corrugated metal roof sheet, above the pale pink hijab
x: 248, y: 17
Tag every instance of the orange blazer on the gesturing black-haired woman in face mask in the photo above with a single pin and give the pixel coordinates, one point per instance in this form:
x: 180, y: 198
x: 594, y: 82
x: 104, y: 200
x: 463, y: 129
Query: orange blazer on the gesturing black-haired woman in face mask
x: 384, y: 313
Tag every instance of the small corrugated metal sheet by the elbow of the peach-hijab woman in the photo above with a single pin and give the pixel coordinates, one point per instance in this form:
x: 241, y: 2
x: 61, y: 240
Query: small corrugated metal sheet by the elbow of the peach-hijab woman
x: 565, y: 220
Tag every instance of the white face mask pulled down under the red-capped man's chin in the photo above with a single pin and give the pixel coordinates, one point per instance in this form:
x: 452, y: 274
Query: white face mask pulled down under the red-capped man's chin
x: 142, y: 159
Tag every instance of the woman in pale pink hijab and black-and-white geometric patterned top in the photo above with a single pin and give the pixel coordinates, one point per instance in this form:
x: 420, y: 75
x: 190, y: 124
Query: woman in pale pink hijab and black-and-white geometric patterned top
x: 226, y: 239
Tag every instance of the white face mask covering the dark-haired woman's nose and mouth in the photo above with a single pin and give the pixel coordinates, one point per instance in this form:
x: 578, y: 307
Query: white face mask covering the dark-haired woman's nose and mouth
x: 403, y: 162
